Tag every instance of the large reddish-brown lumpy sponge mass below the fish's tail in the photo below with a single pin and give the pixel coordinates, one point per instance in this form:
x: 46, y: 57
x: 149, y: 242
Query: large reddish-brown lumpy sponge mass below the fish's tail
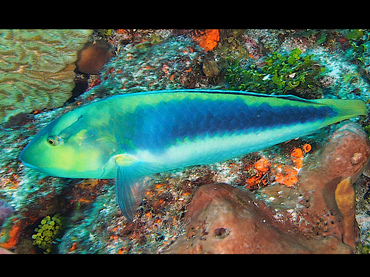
x: 316, y: 216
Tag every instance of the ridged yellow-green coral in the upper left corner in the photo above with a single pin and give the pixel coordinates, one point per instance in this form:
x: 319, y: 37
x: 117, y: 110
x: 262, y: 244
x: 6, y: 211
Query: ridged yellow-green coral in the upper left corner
x: 37, y: 68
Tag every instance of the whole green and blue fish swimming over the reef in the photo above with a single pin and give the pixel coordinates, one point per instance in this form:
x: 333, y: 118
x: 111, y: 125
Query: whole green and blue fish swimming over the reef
x: 130, y: 136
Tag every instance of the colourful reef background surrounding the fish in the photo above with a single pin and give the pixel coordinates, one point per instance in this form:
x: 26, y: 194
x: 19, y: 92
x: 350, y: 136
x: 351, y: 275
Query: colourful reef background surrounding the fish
x: 308, y: 195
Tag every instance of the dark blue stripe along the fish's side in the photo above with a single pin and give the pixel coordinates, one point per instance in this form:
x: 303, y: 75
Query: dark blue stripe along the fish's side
x: 157, y: 127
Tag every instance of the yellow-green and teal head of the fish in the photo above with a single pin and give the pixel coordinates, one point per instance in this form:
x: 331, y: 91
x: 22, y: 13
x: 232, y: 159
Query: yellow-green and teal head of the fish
x: 68, y: 147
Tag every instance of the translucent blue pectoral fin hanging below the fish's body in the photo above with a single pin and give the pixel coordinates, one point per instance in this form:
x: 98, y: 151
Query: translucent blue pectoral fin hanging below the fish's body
x: 129, y: 184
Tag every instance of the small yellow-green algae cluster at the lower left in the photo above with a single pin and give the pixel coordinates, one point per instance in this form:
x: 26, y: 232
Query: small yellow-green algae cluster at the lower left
x: 47, y: 232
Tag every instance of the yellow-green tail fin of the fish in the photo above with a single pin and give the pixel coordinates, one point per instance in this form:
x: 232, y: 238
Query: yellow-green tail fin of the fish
x: 344, y: 108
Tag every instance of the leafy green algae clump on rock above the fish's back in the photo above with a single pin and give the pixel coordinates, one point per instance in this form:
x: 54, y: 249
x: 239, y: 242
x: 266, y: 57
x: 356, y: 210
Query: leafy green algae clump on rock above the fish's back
x: 283, y: 73
